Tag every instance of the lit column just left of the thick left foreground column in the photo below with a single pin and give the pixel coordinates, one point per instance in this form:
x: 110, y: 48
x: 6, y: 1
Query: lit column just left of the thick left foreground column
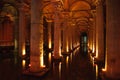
x: 22, y: 25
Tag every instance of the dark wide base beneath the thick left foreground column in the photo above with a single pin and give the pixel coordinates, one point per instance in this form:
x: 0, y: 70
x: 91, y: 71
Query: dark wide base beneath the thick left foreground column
x: 38, y: 73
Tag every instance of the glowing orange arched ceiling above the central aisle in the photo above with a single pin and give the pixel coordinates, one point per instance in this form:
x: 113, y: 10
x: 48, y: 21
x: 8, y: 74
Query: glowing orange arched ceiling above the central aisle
x: 77, y: 11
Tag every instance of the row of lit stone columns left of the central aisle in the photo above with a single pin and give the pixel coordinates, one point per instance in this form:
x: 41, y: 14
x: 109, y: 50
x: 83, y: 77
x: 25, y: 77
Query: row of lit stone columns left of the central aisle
x: 36, y: 38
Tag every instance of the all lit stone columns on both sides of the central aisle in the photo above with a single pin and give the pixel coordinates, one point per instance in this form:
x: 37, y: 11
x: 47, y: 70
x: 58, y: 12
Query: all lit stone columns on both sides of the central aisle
x: 112, y: 37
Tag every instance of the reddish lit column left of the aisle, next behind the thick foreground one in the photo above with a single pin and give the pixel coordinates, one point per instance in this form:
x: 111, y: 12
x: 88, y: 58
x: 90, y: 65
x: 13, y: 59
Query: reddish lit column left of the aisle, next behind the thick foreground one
x: 57, y: 32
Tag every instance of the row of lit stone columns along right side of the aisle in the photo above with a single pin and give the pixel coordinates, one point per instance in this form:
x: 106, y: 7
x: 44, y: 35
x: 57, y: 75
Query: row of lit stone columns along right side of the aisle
x: 104, y: 38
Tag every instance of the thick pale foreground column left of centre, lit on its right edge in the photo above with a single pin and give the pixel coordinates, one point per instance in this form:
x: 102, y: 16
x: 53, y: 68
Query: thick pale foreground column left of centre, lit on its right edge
x: 36, y: 40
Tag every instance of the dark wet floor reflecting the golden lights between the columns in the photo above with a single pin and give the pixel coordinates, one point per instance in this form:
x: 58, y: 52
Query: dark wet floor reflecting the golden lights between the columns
x: 73, y: 67
